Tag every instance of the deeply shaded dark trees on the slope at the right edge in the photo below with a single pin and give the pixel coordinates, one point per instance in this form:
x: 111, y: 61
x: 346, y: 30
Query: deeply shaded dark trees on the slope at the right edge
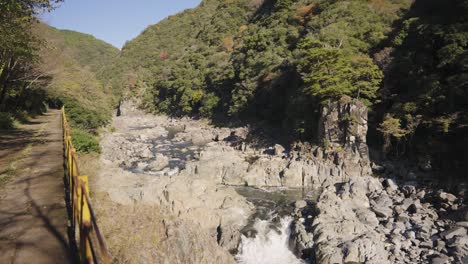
x: 428, y: 81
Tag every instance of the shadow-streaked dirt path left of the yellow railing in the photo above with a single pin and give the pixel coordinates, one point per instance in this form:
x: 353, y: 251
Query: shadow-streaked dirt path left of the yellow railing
x: 33, y: 216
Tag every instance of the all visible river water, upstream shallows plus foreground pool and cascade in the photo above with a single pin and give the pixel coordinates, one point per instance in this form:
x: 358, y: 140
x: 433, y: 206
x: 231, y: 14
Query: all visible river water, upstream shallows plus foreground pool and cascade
x: 266, y: 237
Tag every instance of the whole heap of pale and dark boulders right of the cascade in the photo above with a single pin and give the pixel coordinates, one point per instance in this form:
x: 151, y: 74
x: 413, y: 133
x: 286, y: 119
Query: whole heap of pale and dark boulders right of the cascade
x: 367, y: 220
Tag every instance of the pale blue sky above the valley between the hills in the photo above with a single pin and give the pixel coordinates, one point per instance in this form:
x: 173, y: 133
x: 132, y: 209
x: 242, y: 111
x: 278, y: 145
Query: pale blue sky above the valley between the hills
x: 114, y: 21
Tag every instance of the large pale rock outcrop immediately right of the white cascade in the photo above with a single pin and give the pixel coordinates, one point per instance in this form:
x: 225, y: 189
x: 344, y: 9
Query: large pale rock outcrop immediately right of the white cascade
x: 347, y: 233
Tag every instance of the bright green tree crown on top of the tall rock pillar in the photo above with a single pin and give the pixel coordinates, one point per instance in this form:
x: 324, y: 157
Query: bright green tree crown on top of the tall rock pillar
x: 329, y: 74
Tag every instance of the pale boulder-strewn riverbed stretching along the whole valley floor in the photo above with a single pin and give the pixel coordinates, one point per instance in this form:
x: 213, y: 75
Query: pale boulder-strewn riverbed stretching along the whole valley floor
x: 188, y: 170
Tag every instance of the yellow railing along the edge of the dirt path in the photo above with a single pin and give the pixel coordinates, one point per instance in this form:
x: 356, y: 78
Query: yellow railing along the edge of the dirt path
x: 82, y: 218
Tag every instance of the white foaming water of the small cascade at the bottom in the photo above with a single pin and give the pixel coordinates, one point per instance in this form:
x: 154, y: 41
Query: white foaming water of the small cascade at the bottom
x: 268, y: 246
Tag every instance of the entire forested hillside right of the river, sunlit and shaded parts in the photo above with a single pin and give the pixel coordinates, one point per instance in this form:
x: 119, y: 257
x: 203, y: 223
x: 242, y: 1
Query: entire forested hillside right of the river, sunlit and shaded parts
x: 280, y: 60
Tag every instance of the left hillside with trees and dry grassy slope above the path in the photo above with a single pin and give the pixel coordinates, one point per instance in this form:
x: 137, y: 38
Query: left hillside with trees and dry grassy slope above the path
x: 41, y: 66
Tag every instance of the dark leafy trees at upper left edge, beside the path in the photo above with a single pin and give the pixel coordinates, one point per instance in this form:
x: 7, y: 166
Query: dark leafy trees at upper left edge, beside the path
x: 19, y: 48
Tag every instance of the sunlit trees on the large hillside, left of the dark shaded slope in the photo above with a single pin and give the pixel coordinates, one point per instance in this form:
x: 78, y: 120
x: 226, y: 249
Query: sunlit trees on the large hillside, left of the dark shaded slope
x: 271, y: 60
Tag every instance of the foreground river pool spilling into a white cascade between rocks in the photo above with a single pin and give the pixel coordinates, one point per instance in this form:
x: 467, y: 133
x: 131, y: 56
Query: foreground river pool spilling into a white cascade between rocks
x: 266, y: 238
